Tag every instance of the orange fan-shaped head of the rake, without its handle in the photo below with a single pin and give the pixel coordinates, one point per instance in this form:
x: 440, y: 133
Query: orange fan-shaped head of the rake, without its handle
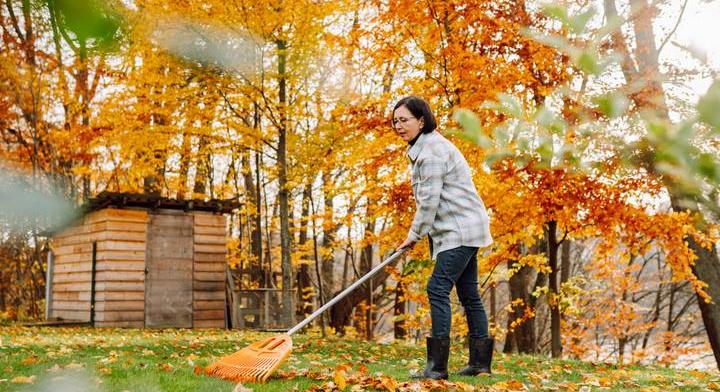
x: 254, y: 363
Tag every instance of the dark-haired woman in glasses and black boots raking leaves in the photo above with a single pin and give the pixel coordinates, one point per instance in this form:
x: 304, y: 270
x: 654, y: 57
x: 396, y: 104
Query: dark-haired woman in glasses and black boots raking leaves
x: 450, y: 212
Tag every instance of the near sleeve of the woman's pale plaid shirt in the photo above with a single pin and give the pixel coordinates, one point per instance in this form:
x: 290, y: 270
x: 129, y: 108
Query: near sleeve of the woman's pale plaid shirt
x: 431, y: 174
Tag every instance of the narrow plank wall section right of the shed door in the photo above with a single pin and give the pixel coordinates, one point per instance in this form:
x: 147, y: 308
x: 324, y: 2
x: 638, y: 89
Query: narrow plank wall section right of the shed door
x: 209, y: 270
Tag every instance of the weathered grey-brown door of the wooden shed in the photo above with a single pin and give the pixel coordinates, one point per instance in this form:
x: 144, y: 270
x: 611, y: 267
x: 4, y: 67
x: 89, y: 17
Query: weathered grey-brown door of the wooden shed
x: 169, y: 263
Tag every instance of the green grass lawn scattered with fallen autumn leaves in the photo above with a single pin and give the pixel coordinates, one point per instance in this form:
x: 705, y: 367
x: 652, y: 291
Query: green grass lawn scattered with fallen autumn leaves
x: 85, y: 359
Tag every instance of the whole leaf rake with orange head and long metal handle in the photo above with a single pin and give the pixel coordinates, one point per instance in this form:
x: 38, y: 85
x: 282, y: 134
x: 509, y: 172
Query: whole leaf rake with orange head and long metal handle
x: 256, y: 362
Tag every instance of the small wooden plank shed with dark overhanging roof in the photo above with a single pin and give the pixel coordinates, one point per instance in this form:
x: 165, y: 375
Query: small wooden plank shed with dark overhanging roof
x: 141, y: 261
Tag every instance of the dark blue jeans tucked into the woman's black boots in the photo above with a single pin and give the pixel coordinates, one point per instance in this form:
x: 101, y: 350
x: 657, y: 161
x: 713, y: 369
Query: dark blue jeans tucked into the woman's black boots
x: 456, y: 267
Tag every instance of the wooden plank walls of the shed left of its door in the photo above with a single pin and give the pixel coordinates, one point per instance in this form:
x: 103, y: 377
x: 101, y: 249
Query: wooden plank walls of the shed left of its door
x: 119, y: 272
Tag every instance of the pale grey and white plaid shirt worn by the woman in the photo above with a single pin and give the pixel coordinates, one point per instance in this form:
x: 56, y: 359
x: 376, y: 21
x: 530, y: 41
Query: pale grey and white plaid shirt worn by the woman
x: 448, y: 207
